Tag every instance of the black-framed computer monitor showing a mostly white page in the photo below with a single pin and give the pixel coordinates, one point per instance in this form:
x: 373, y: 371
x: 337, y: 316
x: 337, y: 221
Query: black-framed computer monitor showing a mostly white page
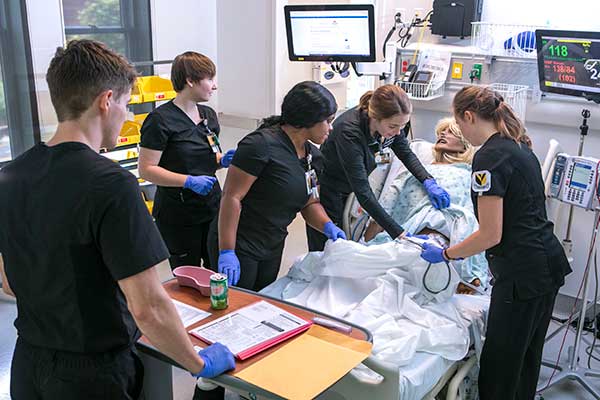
x: 340, y: 32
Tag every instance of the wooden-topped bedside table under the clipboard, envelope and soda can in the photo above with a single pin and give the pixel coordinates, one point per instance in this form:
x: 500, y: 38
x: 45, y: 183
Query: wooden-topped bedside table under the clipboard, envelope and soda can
x: 158, y: 382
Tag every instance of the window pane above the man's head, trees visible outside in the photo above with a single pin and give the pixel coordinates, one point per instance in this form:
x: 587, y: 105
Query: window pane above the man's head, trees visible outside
x: 124, y: 25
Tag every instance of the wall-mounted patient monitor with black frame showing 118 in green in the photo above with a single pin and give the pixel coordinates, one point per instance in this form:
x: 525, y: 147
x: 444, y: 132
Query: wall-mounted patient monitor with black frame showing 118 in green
x: 569, y: 62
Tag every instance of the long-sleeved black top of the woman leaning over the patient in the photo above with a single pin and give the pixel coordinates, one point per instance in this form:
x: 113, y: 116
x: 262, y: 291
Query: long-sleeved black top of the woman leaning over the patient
x: 349, y: 155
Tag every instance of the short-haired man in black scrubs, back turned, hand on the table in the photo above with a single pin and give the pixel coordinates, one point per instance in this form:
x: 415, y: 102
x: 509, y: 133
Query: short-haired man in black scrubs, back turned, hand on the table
x: 80, y: 249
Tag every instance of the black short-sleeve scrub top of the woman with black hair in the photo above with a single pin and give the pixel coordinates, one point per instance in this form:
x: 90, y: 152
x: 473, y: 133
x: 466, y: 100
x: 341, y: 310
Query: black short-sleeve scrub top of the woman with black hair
x: 277, y: 195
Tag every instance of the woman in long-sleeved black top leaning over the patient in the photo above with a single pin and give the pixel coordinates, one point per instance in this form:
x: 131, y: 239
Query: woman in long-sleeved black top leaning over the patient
x: 359, y: 142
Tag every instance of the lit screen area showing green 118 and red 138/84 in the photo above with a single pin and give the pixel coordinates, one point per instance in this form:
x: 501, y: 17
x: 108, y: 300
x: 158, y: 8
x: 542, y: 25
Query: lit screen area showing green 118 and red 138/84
x: 571, y: 63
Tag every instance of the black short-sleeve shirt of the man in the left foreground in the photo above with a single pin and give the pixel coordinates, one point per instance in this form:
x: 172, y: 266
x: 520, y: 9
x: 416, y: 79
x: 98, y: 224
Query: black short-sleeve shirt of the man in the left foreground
x: 73, y: 224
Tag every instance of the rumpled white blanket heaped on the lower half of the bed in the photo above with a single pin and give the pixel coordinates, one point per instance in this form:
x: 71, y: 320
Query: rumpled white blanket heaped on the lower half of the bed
x: 380, y: 287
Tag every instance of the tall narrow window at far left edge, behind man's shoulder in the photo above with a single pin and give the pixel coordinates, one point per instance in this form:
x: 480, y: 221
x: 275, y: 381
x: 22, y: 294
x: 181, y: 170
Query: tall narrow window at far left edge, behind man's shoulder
x: 19, y: 127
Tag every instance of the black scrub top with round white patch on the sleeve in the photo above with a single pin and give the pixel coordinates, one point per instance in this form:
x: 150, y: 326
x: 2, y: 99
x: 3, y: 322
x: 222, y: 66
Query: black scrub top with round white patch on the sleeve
x: 529, y: 260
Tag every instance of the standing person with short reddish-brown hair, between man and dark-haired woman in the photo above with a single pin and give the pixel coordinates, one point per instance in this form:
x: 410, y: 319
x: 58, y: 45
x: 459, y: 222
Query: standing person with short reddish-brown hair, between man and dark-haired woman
x: 180, y: 153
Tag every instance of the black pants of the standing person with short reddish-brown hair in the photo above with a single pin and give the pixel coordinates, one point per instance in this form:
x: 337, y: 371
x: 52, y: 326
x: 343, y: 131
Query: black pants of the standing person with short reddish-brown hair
x: 186, y: 243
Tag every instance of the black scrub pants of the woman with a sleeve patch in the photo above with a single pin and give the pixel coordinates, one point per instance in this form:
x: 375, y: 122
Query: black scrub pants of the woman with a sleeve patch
x: 512, y: 352
